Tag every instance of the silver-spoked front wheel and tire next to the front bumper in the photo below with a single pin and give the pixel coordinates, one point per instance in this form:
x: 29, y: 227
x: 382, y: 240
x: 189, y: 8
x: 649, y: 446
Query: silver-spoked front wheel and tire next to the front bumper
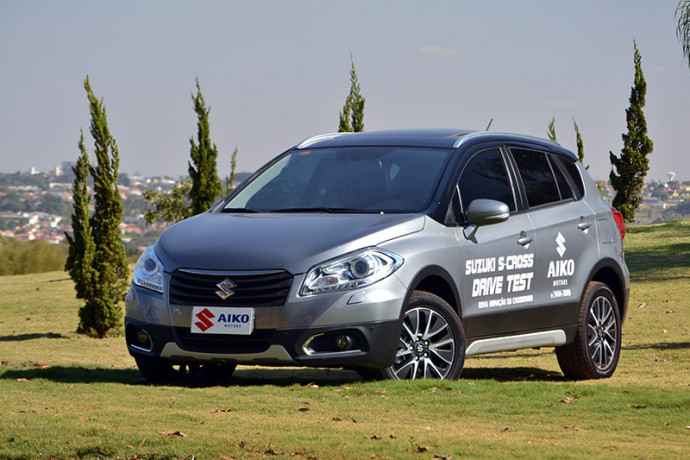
x: 431, y: 342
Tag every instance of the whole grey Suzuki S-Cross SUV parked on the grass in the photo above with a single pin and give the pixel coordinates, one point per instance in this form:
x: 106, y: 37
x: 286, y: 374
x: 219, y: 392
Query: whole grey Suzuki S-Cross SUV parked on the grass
x: 393, y: 253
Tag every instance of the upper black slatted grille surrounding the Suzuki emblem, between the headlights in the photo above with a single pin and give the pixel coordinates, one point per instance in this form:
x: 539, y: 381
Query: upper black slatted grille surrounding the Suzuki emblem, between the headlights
x: 251, y: 288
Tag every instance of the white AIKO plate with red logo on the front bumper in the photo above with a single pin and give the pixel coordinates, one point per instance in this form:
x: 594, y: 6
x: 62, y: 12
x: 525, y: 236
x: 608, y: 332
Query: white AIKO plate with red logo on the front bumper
x: 222, y: 320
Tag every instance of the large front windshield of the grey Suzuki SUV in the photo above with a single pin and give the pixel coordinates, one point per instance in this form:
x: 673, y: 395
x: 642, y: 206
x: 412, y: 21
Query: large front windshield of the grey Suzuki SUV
x: 345, y: 179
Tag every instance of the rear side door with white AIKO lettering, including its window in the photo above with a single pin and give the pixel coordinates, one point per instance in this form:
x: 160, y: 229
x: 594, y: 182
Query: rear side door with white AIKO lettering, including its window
x: 565, y: 232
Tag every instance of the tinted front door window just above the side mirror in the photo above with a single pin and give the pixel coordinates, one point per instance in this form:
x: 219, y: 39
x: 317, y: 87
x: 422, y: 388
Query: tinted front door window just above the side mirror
x: 485, y: 176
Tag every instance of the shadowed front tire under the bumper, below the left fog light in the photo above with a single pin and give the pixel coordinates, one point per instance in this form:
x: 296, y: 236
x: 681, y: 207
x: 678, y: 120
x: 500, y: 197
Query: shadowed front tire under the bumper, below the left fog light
x: 158, y: 370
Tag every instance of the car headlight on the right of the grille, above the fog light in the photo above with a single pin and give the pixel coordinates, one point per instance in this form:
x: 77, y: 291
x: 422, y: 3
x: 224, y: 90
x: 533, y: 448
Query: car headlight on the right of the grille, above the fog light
x: 352, y: 271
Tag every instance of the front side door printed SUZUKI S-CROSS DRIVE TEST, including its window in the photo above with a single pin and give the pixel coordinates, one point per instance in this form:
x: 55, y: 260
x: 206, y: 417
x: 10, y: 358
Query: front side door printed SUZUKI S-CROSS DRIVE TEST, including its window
x: 495, y: 285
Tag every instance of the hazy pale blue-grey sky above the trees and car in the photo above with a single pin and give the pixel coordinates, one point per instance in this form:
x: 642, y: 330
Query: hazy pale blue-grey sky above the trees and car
x: 276, y: 72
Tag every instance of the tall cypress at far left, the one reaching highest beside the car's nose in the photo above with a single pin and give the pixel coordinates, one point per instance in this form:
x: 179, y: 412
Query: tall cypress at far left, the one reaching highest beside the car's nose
x: 110, y: 270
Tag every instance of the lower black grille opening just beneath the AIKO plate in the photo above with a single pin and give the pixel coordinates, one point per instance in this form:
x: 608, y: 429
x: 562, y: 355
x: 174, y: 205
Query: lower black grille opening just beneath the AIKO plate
x: 257, y: 342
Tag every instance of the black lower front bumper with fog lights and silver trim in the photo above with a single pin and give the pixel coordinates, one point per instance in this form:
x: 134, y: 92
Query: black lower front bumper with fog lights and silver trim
x: 367, y: 345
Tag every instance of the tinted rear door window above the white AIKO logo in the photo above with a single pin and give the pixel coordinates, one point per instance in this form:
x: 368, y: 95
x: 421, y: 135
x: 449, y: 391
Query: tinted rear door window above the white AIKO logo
x: 537, y: 177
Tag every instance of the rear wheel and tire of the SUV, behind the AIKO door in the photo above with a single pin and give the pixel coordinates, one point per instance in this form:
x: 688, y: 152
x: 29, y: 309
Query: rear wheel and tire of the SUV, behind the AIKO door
x: 594, y: 353
